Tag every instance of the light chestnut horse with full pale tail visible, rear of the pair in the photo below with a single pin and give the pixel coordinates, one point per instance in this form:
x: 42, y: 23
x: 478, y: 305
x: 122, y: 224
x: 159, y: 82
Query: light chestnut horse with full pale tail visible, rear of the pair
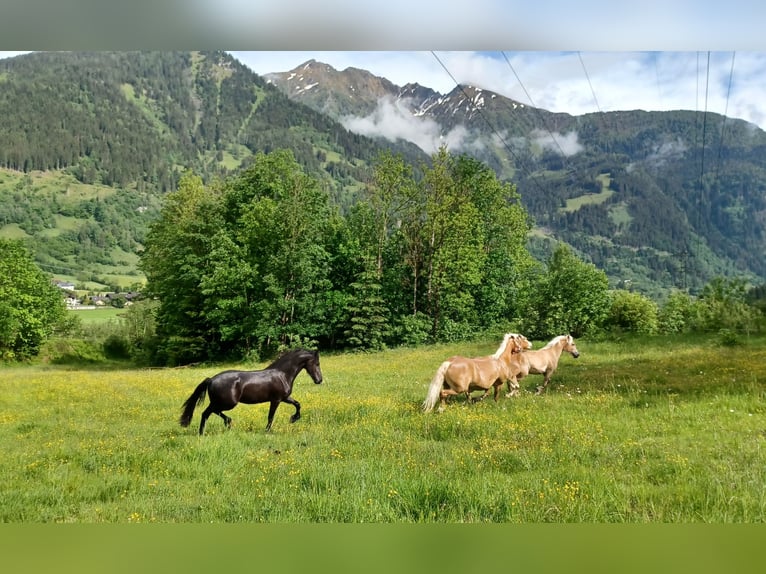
x: 459, y: 375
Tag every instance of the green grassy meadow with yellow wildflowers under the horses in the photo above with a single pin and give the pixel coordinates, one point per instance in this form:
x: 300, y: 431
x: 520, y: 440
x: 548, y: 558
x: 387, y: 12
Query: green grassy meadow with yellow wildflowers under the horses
x: 635, y: 430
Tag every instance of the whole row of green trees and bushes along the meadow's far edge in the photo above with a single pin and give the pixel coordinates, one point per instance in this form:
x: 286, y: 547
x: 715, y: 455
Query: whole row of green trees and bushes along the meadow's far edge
x: 263, y: 260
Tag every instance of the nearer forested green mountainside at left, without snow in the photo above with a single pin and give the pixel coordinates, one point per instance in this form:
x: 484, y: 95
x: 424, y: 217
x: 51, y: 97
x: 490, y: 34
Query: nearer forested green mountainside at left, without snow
x: 90, y: 142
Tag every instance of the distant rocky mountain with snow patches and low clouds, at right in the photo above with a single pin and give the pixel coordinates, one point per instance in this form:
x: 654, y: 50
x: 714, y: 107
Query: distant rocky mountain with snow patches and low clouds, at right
x: 656, y: 199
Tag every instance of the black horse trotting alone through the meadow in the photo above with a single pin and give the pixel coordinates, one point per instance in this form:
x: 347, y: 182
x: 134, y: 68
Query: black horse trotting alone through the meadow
x: 273, y: 385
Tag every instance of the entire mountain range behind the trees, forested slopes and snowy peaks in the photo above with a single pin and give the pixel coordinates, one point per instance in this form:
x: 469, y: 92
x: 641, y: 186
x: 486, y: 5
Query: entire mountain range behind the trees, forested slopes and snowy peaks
x: 90, y: 143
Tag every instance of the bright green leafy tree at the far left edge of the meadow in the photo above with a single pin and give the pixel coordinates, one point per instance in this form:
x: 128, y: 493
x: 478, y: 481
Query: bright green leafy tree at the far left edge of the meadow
x: 31, y: 307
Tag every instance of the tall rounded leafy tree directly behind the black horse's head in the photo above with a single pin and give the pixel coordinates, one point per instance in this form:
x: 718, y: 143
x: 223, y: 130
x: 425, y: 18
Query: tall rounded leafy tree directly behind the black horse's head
x: 280, y: 217
